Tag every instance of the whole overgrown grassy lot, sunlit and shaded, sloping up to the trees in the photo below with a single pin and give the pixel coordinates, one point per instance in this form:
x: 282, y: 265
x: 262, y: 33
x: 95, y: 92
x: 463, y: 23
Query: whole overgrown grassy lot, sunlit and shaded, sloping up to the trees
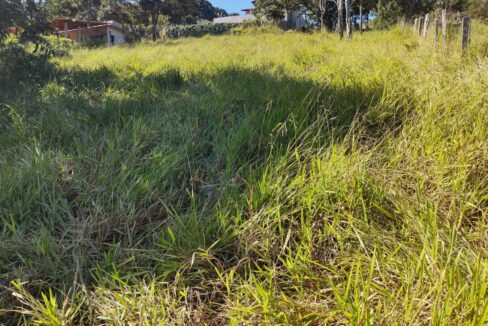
x: 265, y: 178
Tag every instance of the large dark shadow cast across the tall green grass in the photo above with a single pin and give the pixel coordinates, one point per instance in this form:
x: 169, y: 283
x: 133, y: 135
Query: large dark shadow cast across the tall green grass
x: 148, y: 157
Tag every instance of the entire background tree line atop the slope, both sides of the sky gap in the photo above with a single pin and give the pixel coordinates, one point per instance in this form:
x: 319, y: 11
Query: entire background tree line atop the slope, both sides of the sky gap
x: 143, y: 17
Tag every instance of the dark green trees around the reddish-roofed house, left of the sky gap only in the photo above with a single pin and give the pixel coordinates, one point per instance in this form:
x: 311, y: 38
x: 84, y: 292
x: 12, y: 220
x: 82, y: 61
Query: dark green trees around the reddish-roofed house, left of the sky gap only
x: 141, y: 17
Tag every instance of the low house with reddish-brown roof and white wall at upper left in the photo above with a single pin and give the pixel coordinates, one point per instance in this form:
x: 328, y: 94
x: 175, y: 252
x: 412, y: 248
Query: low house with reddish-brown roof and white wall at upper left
x: 108, y: 32
